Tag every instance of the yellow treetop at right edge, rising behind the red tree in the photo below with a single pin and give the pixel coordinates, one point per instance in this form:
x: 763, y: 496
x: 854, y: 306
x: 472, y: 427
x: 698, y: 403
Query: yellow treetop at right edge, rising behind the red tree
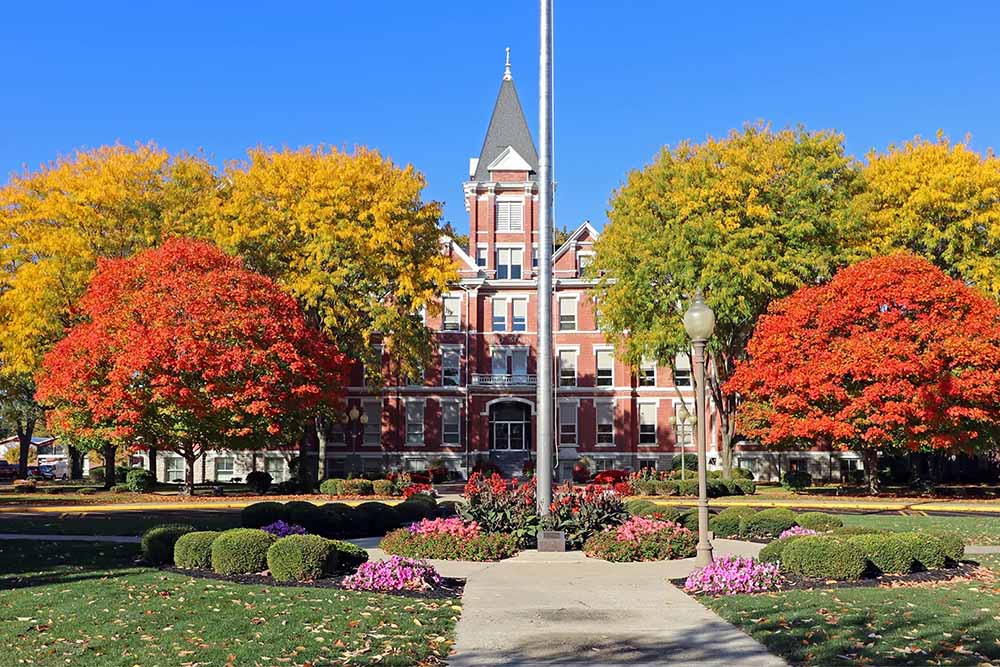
x: 939, y: 200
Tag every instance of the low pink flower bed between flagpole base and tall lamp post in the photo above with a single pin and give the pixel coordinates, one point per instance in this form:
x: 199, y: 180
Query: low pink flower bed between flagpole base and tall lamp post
x: 642, y: 539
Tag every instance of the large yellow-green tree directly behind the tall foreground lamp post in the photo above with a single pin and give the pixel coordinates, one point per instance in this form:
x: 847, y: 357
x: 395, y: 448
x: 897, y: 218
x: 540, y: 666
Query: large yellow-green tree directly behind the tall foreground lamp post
x: 749, y: 218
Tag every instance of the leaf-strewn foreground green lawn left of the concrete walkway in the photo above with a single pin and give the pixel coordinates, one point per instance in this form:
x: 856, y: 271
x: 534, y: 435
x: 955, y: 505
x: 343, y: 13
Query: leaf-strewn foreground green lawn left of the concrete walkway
x: 91, y: 605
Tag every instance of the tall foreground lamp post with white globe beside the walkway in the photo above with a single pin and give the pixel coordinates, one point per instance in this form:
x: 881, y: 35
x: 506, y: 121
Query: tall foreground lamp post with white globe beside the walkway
x: 699, y: 322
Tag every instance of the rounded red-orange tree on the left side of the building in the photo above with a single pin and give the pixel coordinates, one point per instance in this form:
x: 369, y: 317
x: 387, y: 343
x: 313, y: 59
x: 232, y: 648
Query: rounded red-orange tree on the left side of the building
x: 182, y: 348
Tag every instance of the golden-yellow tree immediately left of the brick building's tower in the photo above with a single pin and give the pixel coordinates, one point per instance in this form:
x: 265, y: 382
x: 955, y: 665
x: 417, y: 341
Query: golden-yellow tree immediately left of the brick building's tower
x: 350, y: 237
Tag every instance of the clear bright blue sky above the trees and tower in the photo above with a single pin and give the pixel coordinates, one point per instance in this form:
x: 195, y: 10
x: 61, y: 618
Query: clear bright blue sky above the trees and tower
x: 418, y: 80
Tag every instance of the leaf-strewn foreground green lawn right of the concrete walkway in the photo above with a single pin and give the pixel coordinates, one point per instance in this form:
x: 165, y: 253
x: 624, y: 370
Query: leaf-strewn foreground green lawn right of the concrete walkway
x: 949, y: 624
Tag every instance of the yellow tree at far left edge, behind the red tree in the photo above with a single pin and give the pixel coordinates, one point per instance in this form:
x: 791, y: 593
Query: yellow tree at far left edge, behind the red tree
x: 57, y: 221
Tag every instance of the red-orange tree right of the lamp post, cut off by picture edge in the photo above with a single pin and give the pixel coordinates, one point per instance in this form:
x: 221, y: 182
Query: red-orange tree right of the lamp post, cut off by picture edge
x: 890, y: 354
